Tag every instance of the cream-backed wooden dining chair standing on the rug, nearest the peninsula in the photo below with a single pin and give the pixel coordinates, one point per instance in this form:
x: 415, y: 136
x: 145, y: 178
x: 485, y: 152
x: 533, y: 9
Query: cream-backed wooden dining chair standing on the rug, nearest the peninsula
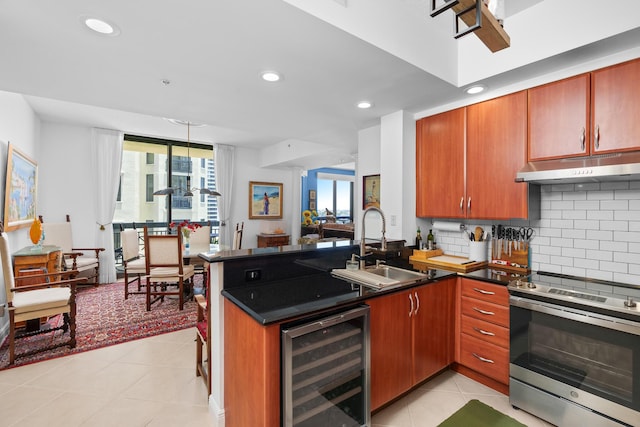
x: 164, y: 263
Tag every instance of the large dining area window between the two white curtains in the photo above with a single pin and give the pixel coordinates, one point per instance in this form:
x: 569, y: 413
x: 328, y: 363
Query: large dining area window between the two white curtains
x: 146, y: 164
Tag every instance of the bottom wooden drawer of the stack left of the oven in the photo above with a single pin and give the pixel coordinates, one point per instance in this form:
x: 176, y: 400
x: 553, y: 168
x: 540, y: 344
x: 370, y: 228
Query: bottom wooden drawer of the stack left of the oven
x: 487, y: 359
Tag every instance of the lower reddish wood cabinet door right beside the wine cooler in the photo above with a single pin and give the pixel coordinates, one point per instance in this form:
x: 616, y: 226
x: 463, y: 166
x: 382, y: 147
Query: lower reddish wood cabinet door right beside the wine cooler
x: 390, y: 327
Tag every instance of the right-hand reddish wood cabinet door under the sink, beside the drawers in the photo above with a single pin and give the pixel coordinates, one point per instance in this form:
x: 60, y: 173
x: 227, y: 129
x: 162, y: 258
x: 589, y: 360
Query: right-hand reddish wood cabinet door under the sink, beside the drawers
x: 433, y: 329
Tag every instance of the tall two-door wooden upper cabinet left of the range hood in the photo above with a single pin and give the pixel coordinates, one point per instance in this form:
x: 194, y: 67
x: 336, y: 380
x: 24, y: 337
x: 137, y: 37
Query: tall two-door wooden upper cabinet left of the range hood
x: 467, y: 160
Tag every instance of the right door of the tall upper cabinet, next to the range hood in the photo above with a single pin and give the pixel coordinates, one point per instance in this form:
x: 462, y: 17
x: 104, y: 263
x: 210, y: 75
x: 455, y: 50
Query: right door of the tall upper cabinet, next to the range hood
x: 496, y: 150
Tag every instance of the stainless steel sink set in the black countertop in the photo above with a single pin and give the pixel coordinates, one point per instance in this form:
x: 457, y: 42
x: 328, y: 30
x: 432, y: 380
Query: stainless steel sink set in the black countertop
x: 381, y: 277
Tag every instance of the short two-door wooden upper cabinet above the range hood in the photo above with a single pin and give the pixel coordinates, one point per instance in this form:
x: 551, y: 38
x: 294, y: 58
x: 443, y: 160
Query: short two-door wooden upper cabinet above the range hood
x: 587, y: 114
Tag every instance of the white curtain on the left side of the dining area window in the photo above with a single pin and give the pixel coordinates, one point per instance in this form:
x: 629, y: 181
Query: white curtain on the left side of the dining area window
x: 106, y: 159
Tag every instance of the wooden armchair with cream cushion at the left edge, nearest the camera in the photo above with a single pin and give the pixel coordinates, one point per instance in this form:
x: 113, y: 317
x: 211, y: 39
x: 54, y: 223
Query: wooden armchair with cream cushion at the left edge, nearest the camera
x: 36, y: 301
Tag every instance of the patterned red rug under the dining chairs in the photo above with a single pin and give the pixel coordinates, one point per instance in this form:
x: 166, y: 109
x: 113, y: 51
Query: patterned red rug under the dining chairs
x: 105, y: 318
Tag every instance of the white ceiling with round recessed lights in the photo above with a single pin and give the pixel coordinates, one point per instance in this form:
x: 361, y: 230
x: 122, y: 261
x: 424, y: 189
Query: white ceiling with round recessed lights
x: 210, y: 55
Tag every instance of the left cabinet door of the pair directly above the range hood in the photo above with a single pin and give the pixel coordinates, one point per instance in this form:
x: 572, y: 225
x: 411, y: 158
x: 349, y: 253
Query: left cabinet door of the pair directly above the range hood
x: 559, y: 119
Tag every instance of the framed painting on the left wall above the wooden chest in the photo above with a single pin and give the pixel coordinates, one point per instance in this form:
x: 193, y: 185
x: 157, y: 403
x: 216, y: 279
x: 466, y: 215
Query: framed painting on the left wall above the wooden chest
x: 20, y: 190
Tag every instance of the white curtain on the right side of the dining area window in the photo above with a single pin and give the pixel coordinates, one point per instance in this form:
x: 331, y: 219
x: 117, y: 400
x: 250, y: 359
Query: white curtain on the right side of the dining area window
x: 225, y: 161
